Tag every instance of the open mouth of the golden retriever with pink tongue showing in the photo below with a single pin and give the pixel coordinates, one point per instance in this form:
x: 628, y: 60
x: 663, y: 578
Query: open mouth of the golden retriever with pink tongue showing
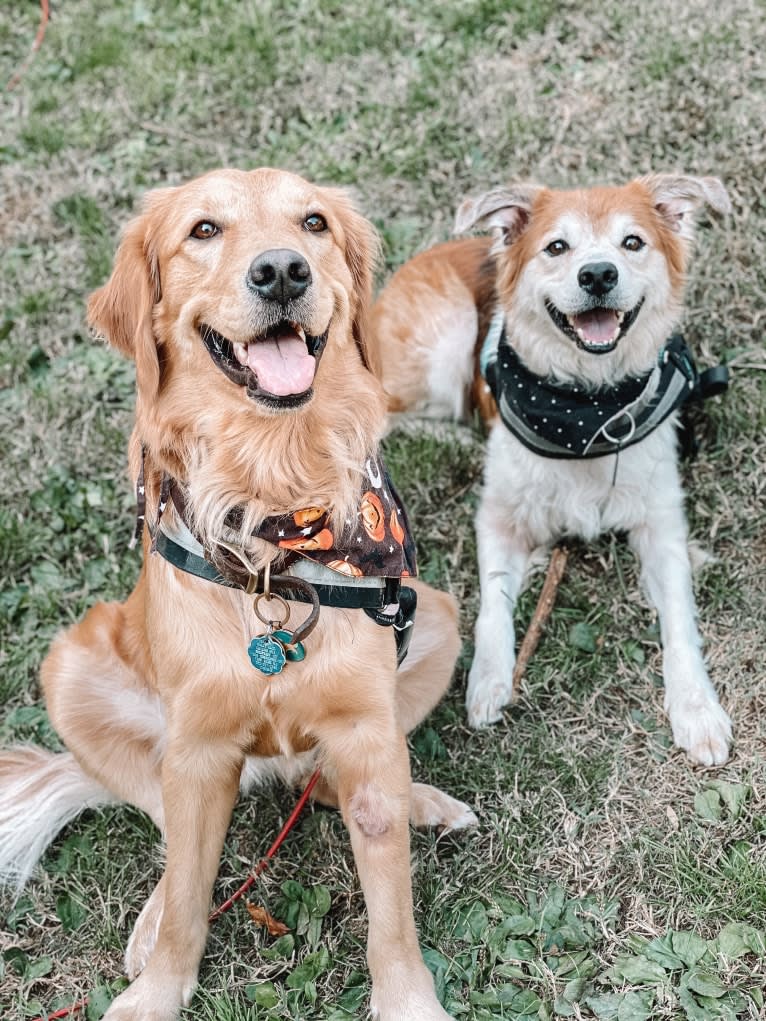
x: 277, y: 368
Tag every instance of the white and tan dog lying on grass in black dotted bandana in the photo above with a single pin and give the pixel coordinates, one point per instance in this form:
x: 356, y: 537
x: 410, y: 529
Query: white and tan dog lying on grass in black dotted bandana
x: 588, y: 286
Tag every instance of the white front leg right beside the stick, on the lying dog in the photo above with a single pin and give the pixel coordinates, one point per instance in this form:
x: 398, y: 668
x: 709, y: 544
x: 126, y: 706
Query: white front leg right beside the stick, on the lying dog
x: 504, y: 556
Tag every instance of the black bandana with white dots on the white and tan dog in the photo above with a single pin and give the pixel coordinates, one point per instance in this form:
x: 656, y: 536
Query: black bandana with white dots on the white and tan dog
x: 558, y: 420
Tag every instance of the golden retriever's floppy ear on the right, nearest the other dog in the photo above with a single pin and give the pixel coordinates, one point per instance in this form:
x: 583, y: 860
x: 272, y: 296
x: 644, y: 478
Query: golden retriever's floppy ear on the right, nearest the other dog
x: 362, y: 249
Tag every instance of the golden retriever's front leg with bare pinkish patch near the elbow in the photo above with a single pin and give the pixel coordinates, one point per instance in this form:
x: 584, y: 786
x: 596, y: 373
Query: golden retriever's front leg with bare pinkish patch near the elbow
x: 372, y: 767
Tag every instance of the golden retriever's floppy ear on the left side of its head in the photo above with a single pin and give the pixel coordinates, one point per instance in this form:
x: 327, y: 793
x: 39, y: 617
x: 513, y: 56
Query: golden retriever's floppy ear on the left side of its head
x: 122, y: 310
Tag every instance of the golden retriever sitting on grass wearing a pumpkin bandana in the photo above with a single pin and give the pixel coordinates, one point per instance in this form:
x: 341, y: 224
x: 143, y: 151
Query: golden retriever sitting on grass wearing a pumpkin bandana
x: 243, y: 298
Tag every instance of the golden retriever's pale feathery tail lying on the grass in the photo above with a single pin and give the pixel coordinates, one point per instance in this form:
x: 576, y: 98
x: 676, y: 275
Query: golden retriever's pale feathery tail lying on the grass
x: 40, y: 793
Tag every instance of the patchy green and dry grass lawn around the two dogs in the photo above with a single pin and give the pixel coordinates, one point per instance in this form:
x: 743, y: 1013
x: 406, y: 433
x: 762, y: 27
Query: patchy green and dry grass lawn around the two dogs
x: 608, y: 878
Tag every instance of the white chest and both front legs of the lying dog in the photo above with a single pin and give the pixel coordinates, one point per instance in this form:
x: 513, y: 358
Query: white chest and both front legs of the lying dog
x: 531, y: 502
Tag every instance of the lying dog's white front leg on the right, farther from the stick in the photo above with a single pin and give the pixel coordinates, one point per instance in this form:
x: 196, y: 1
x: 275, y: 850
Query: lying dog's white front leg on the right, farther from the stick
x: 699, y: 723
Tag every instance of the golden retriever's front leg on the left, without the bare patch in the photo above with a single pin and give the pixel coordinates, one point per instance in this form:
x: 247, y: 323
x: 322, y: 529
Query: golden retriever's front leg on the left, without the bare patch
x: 201, y: 781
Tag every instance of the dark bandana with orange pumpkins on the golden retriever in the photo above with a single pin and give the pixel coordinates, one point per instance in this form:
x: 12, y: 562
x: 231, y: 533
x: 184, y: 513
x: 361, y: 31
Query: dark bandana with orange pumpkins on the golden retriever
x: 375, y: 542
